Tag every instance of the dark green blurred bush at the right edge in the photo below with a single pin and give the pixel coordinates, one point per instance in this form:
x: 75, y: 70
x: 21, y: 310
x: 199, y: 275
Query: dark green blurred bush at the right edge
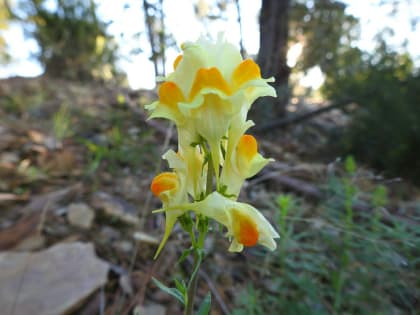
x: 385, y: 126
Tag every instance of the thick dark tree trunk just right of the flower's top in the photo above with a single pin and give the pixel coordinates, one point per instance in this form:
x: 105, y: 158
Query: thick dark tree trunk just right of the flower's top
x: 272, y: 58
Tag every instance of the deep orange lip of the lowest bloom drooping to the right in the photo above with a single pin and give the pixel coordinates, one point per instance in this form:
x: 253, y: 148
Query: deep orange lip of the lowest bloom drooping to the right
x: 244, y: 229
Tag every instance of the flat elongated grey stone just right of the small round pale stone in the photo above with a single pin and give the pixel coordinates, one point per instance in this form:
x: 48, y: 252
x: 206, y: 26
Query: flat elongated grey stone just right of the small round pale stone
x: 115, y: 207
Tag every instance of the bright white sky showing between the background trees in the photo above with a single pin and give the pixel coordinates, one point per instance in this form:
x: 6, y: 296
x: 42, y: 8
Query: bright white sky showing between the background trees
x: 182, y: 22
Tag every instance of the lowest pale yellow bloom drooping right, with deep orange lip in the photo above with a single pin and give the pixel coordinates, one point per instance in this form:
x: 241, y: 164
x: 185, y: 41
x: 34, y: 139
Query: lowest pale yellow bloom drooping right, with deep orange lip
x: 246, y: 226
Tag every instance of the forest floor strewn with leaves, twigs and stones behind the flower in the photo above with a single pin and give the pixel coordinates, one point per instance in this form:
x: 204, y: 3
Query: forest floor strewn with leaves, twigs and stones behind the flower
x: 76, y: 162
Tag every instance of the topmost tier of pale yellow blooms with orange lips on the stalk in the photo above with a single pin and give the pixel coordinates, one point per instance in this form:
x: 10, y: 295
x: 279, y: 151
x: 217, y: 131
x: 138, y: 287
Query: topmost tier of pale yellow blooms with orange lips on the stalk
x: 209, y: 86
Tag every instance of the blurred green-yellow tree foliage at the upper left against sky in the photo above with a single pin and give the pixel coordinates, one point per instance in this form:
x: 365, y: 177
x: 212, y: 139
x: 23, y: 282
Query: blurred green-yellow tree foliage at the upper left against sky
x: 73, y: 41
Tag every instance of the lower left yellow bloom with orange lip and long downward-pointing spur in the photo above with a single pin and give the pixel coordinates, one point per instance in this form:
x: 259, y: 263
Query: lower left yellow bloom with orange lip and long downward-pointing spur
x: 167, y: 187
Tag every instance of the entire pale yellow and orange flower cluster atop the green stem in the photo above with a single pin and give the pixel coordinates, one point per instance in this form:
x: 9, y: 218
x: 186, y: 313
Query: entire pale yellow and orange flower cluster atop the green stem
x: 208, y: 97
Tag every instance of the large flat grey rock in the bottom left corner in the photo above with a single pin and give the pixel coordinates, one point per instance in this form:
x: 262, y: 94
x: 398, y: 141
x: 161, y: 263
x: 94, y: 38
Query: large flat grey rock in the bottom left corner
x: 50, y: 282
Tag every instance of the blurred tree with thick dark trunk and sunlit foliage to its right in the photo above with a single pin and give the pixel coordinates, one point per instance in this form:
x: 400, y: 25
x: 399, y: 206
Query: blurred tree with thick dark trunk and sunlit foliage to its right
x: 306, y: 23
